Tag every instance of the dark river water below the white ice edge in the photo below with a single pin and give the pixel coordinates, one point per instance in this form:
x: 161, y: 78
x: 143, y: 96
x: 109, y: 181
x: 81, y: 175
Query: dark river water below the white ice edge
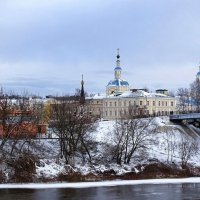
x: 137, y: 192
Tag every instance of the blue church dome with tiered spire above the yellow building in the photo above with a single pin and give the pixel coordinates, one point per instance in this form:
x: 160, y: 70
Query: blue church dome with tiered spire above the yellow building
x: 117, y: 85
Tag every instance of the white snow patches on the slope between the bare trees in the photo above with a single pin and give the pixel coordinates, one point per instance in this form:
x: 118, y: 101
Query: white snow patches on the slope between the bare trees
x: 159, y: 149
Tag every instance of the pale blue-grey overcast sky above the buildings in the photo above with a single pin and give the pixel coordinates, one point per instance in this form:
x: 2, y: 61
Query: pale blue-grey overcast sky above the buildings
x: 46, y: 45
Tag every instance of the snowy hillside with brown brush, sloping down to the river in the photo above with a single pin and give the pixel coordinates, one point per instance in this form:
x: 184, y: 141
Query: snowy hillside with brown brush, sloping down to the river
x: 161, y: 157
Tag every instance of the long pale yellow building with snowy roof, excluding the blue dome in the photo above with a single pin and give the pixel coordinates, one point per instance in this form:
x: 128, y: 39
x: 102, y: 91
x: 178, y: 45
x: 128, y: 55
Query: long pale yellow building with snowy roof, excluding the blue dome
x: 146, y: 103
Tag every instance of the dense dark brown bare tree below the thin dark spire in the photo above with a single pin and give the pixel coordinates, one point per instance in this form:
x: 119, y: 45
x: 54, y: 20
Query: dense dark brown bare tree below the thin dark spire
x: 71, y: 122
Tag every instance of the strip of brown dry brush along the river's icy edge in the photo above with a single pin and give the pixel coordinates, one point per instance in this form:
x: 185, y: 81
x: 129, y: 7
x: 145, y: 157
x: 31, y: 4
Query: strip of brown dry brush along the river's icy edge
x: 155, y: 170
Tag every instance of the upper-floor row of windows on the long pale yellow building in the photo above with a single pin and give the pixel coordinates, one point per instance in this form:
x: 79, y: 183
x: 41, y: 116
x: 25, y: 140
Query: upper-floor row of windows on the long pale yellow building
x: 141, y: 103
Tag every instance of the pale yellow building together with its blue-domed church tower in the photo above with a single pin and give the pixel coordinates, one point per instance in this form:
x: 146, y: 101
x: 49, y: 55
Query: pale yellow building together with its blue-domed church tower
x: 119, y: 98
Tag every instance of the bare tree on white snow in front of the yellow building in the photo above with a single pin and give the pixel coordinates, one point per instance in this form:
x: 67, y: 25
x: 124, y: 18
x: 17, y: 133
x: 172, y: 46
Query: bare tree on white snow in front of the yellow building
x: 131, y: 135
